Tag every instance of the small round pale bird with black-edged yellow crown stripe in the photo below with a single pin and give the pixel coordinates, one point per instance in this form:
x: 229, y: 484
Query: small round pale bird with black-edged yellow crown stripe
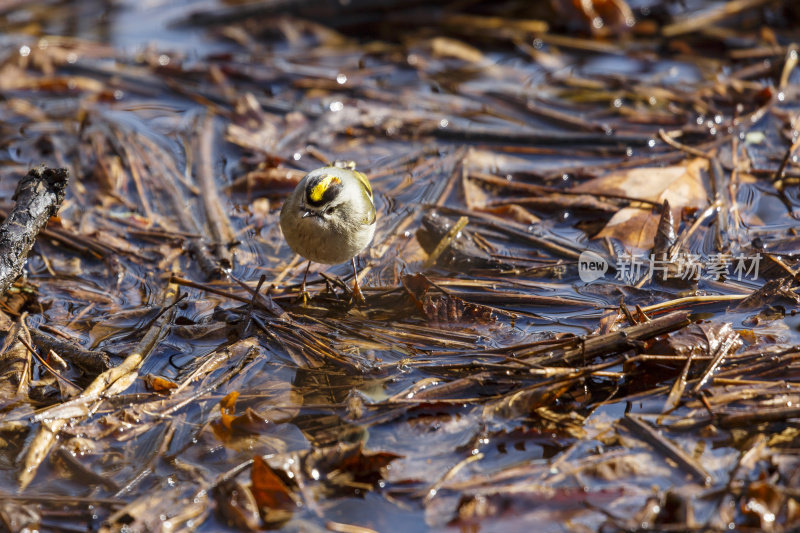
x: 330, y: 218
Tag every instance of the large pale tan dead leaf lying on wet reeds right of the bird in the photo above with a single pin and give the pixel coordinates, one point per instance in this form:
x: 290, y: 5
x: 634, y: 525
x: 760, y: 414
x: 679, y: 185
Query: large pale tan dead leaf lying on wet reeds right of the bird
x: 682, y: 185
